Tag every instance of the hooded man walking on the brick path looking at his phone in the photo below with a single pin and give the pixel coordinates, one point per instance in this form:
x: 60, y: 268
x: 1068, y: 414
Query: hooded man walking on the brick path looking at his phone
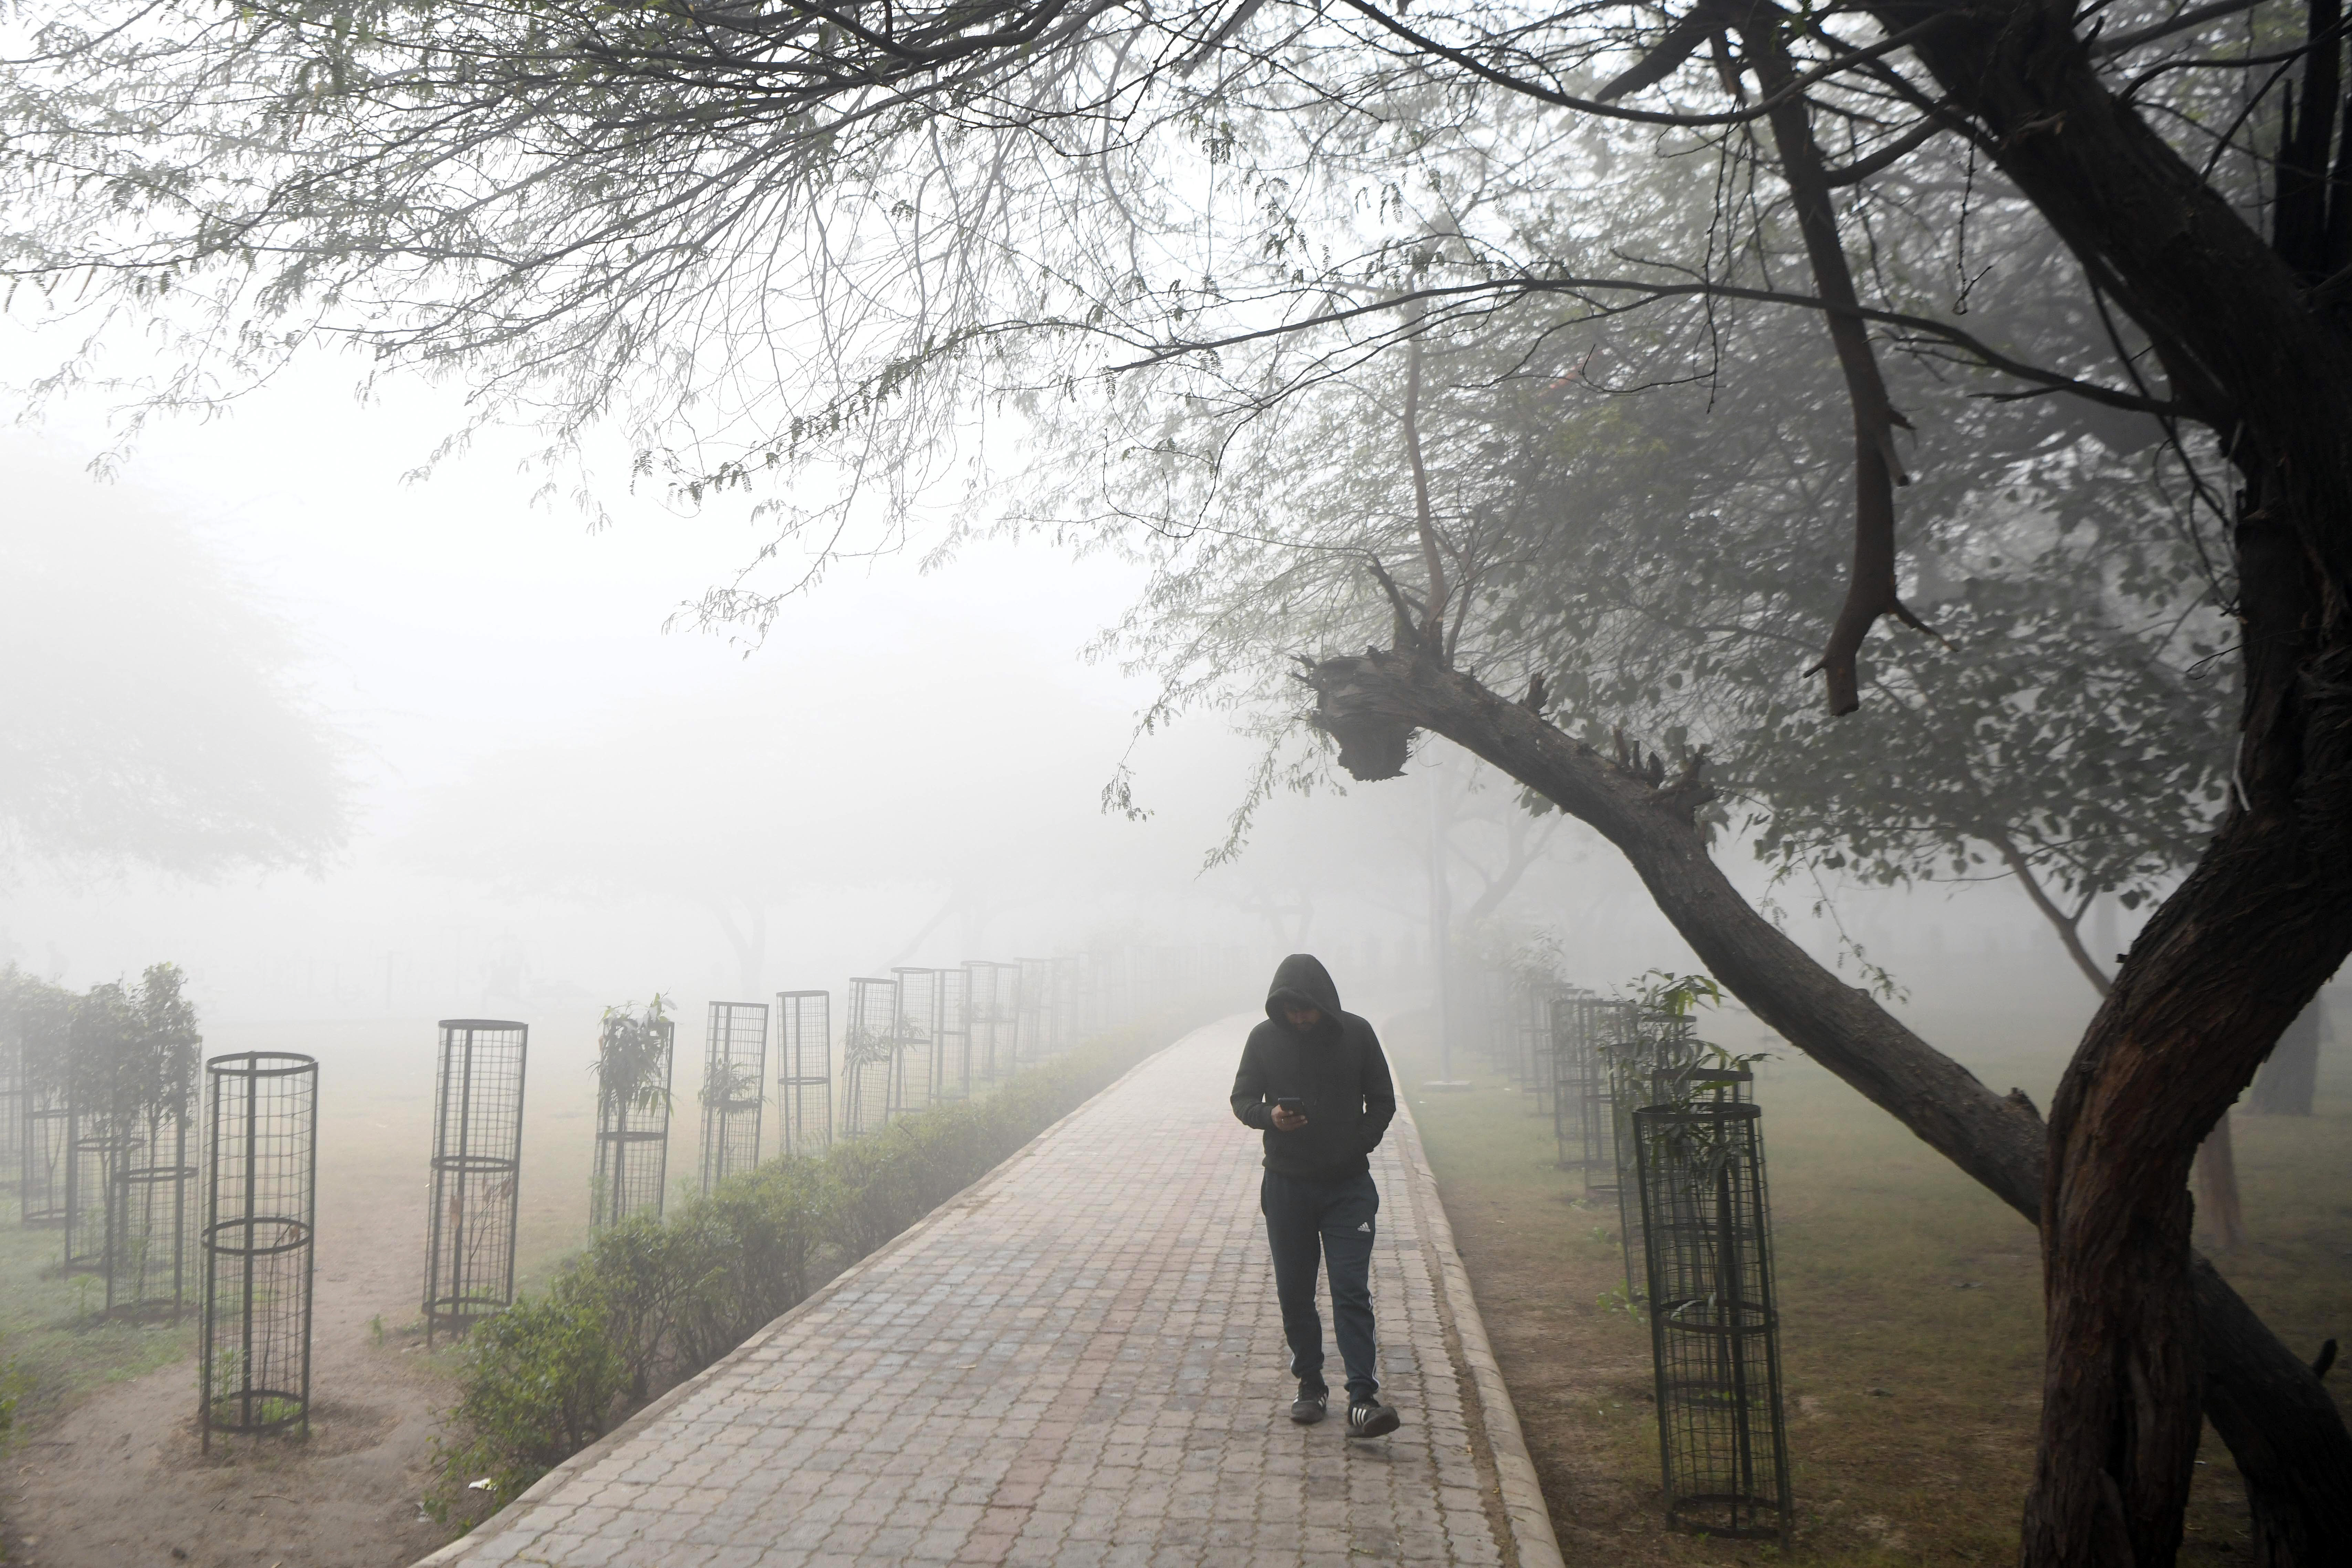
x: 1314, y: 1080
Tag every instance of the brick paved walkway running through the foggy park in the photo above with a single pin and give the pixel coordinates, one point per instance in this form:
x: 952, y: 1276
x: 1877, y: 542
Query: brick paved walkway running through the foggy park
x: 1076, y: 1362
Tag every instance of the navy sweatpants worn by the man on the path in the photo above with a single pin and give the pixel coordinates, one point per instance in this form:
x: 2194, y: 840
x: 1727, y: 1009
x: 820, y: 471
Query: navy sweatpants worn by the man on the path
x: 1325, y: 1226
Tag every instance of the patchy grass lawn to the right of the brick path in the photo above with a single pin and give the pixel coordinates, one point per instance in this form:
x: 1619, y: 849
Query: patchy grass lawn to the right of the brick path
x: 1909, y: 1301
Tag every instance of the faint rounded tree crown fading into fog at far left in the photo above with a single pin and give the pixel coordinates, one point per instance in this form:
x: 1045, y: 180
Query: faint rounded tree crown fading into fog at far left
x: 149, y: 711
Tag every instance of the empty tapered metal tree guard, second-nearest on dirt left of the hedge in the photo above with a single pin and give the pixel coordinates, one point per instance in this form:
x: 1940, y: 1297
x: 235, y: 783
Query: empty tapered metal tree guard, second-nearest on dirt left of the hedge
x: 476, y: 1172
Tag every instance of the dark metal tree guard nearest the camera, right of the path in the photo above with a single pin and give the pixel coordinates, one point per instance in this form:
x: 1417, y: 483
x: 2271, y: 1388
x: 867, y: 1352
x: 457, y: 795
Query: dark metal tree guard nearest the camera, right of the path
x: 1713, y: 1327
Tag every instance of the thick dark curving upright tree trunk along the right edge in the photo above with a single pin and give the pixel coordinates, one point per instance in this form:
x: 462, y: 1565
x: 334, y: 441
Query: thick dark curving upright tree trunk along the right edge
x: 2266, y: 918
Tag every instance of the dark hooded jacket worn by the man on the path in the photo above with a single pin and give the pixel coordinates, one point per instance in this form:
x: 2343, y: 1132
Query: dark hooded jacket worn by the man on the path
x: 1337, y: 1068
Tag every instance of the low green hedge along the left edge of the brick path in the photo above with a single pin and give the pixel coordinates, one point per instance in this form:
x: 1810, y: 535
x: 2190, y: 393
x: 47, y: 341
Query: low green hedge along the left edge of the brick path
x: 655, y: 1301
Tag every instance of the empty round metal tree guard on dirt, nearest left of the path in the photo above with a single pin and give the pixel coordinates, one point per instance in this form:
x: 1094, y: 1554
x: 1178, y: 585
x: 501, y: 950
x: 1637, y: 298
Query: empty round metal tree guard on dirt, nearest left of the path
x: 260, y: 1221
